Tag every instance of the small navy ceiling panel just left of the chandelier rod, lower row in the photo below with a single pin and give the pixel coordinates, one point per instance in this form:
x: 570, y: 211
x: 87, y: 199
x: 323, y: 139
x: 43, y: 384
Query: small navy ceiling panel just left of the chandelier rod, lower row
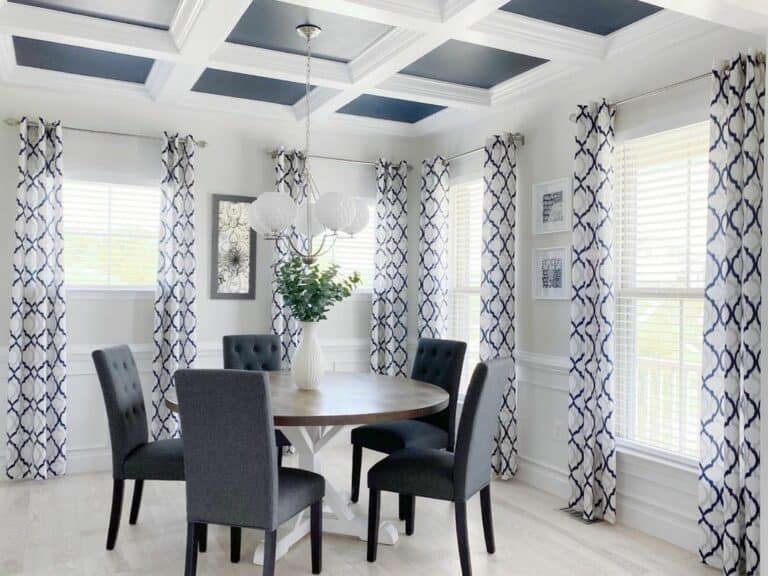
x: 238, y: 85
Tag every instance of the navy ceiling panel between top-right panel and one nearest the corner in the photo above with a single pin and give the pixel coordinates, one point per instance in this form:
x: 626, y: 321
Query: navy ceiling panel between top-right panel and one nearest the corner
x: 471, y: 65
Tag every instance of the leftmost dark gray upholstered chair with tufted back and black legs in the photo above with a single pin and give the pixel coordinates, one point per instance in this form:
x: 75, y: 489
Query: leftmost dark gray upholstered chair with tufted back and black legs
x: 133, y: 456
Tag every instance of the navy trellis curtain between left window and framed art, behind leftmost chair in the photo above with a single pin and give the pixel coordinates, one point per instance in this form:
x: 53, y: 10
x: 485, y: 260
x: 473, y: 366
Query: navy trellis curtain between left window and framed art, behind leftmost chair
x: 175, y: 322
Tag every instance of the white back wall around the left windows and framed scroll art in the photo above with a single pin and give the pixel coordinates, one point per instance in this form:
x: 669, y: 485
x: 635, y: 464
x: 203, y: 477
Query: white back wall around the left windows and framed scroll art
x: 234, y: 162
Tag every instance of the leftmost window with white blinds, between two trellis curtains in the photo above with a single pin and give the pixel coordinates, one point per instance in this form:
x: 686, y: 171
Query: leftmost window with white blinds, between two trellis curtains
x: 110, y: 235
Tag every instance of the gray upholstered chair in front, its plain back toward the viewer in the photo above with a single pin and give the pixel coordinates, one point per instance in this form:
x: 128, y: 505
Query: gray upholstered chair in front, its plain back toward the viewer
x: 230, y: 463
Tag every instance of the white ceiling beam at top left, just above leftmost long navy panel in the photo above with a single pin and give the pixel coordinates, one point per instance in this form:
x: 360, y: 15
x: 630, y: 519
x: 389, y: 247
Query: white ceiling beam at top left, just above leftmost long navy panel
x: 85, y: 31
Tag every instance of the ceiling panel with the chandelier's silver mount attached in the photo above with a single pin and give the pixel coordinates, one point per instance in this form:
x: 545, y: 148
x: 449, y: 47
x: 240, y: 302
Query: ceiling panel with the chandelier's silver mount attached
x: 272, y: 25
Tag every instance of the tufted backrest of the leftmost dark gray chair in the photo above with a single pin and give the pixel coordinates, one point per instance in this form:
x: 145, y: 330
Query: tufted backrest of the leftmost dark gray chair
x: 124, y: 400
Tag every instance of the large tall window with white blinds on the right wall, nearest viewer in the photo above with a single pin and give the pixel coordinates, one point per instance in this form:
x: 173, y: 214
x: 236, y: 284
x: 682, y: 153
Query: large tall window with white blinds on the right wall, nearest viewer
x: 661, y: 216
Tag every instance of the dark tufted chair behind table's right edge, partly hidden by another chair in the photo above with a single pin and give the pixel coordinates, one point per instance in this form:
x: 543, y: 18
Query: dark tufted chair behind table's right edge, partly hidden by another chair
x: 438, y: 362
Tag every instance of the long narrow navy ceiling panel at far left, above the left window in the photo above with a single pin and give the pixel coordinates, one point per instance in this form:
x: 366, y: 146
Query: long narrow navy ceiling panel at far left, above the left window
x: 83, y: 61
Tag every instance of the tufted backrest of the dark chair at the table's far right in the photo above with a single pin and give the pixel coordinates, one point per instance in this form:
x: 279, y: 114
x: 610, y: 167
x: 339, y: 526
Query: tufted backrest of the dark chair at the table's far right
x: 440, y: 362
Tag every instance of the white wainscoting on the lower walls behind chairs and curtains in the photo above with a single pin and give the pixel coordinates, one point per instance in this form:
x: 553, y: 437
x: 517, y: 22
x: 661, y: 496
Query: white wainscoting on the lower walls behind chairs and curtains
x: 654, y: 496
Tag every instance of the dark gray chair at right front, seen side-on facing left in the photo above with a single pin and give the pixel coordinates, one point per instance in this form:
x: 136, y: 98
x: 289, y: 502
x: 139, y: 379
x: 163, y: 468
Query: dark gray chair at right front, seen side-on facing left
x: 437, y: 474
